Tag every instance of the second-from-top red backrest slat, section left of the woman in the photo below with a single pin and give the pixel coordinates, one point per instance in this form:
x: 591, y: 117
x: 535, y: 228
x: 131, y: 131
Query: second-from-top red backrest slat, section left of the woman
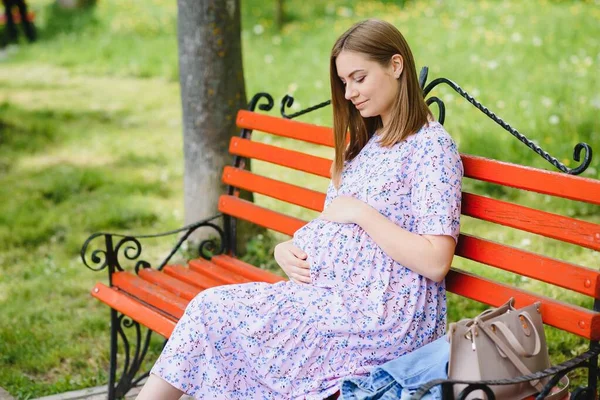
x: 287, y: 158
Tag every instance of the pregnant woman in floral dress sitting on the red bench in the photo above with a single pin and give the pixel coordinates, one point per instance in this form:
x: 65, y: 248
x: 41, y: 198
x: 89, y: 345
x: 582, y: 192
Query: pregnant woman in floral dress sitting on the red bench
x: 366, y: 277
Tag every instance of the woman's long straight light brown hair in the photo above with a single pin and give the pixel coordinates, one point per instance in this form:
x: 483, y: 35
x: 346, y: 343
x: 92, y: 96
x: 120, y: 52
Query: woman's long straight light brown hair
x: 378, y: 41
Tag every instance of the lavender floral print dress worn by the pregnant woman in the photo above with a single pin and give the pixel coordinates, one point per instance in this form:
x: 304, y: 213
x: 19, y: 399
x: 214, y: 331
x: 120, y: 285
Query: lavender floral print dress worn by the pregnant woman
x: 298, y: 341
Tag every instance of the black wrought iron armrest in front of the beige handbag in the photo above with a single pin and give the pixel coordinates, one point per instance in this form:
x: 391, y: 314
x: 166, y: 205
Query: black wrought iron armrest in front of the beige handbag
x: 559, y: 371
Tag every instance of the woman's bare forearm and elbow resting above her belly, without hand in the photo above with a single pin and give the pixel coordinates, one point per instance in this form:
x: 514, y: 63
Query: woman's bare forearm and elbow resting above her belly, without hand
x: 416, y: 252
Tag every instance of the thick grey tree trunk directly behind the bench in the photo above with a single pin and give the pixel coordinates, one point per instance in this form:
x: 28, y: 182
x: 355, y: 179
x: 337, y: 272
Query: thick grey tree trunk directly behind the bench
x: 212, y: 90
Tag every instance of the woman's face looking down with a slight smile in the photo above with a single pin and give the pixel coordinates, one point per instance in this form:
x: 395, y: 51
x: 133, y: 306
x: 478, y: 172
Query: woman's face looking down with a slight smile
x: 370, y: 87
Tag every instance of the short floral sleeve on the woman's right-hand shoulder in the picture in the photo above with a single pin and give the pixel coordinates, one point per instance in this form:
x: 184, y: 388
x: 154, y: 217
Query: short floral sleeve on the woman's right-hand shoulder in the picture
x: 436, y: 186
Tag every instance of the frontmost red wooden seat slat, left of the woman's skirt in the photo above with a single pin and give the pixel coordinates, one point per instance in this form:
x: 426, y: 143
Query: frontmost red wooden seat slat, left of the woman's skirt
x: 137, y: 311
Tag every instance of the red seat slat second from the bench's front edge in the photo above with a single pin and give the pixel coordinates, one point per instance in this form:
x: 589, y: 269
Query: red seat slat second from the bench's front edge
x: 150, y: 293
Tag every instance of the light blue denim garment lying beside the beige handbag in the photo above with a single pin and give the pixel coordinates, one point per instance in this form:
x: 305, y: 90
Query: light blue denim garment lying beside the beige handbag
x: 400, y: 378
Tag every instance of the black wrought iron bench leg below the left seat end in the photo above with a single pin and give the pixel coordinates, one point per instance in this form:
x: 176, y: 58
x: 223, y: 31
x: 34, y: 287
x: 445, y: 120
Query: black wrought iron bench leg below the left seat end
x: 134, y: 354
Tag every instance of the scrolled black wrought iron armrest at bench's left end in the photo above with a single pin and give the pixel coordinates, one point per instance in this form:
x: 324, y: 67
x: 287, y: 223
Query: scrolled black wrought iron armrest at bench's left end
x: 117, y: 245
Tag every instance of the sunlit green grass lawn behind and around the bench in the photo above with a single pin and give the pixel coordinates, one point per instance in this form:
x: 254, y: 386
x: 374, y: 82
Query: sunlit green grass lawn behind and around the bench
x: 90, y: 139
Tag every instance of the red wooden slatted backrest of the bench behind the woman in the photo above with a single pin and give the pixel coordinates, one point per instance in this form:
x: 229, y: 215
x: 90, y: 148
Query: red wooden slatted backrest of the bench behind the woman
x: 583, y: 235
